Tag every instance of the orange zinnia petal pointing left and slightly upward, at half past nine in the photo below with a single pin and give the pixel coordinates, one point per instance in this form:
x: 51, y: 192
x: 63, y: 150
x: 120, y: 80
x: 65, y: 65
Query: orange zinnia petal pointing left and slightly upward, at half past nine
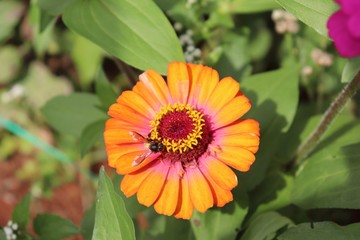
x: 129, y: 115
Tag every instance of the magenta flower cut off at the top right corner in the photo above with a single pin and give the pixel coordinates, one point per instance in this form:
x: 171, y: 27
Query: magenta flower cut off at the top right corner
x: 344, y: 28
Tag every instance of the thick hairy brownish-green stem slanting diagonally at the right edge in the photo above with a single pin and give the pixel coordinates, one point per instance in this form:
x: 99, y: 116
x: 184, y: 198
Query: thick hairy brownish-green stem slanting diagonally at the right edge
x: 335, y: 108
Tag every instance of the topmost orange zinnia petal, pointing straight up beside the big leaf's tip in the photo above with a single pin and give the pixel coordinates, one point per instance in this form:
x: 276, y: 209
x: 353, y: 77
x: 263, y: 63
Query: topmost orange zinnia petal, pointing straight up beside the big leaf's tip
x: 178, y: 80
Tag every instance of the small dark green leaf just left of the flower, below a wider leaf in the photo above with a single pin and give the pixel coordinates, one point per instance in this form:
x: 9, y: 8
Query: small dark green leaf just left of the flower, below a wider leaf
x: 92, y: 134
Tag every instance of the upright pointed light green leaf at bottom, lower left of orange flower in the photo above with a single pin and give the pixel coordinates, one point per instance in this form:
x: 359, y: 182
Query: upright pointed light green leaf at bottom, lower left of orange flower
x: 111, y: 219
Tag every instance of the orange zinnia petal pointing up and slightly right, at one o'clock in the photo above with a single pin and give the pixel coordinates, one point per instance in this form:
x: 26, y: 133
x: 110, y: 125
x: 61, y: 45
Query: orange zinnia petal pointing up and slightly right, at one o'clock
x: 203, y: 86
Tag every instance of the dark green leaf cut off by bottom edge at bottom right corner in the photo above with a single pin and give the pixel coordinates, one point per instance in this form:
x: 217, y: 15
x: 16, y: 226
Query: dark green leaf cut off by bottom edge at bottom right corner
x: 322, y: 230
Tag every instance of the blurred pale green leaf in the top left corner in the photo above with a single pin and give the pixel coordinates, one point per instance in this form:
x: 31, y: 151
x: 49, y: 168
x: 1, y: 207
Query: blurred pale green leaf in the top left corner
x: 10, y: 14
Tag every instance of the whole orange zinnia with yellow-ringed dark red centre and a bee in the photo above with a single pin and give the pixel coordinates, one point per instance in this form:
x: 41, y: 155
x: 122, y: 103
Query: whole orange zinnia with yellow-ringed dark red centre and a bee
x: 175, y: 141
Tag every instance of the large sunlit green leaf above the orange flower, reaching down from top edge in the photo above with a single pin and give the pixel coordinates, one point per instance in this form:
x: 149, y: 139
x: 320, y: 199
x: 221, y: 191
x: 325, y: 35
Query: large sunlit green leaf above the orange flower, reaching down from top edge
x: 137, y: 32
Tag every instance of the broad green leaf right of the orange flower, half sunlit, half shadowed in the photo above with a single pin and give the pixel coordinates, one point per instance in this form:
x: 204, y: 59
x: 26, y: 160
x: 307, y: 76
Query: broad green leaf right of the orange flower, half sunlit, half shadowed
x: 275, y: 96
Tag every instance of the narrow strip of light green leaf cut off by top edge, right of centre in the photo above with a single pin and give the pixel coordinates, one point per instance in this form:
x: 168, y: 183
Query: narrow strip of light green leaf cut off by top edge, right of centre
x: 248, y: 6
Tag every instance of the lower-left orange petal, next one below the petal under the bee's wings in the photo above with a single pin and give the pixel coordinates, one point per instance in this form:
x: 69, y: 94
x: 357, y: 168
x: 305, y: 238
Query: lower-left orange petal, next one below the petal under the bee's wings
x: 131, y: 182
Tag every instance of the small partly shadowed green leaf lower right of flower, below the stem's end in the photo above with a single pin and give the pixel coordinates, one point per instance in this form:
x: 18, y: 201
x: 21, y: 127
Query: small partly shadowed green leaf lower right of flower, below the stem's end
x: 274, y: 193
